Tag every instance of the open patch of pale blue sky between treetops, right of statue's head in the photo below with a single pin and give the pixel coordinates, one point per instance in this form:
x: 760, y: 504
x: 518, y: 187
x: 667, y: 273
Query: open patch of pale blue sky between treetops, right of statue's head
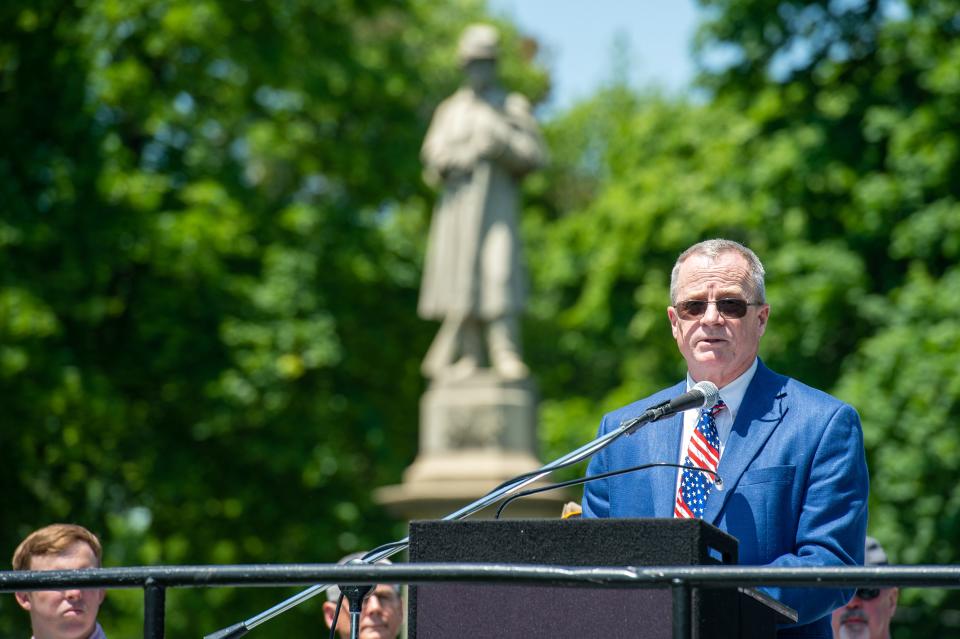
x: 578, y: 41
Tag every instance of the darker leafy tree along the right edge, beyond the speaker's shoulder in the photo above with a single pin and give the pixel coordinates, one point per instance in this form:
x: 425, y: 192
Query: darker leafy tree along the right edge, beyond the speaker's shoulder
x: 878, y: 83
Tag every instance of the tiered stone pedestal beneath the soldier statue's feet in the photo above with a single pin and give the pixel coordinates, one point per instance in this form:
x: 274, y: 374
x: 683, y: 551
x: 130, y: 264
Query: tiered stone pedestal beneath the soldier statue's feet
x: 474, y: 435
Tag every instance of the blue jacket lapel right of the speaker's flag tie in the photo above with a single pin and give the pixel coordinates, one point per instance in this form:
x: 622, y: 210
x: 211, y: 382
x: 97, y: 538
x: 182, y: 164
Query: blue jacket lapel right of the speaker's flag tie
x: 762, y: 410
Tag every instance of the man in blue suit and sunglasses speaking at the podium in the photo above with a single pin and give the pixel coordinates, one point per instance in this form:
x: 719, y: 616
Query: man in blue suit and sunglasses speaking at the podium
x: 791, y: 457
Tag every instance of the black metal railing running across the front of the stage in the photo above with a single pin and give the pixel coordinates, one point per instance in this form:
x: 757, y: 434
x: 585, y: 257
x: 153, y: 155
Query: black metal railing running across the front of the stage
x: 155, y: 580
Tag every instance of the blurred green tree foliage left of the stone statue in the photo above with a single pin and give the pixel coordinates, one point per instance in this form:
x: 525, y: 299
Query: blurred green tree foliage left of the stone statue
x: 210, y: 238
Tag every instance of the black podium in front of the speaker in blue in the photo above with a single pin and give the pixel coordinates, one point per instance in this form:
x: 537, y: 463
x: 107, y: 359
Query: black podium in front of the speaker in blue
x: 468, y: 611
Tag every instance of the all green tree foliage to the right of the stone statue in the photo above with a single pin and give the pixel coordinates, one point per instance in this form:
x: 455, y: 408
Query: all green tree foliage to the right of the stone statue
x: 825, y: 136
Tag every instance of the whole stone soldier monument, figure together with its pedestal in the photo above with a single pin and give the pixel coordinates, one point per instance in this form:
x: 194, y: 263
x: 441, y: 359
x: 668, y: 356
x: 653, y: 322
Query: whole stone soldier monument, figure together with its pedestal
x: 477, y: 423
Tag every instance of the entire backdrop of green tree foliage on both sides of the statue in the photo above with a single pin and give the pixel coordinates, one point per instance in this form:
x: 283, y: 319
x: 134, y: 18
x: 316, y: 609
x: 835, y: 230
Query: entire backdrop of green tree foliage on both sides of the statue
x: 210, y: 237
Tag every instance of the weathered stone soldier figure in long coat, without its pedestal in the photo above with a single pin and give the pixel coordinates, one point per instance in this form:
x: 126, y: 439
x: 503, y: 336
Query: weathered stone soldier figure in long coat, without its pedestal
x: 481, y: 142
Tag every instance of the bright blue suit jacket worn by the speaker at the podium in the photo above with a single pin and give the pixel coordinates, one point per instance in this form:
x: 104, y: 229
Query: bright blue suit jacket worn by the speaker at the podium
x: 794, y: 477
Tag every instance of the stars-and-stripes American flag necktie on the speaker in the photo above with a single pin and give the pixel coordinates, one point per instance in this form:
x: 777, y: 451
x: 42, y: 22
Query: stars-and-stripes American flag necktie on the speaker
x: 703, y: 451
